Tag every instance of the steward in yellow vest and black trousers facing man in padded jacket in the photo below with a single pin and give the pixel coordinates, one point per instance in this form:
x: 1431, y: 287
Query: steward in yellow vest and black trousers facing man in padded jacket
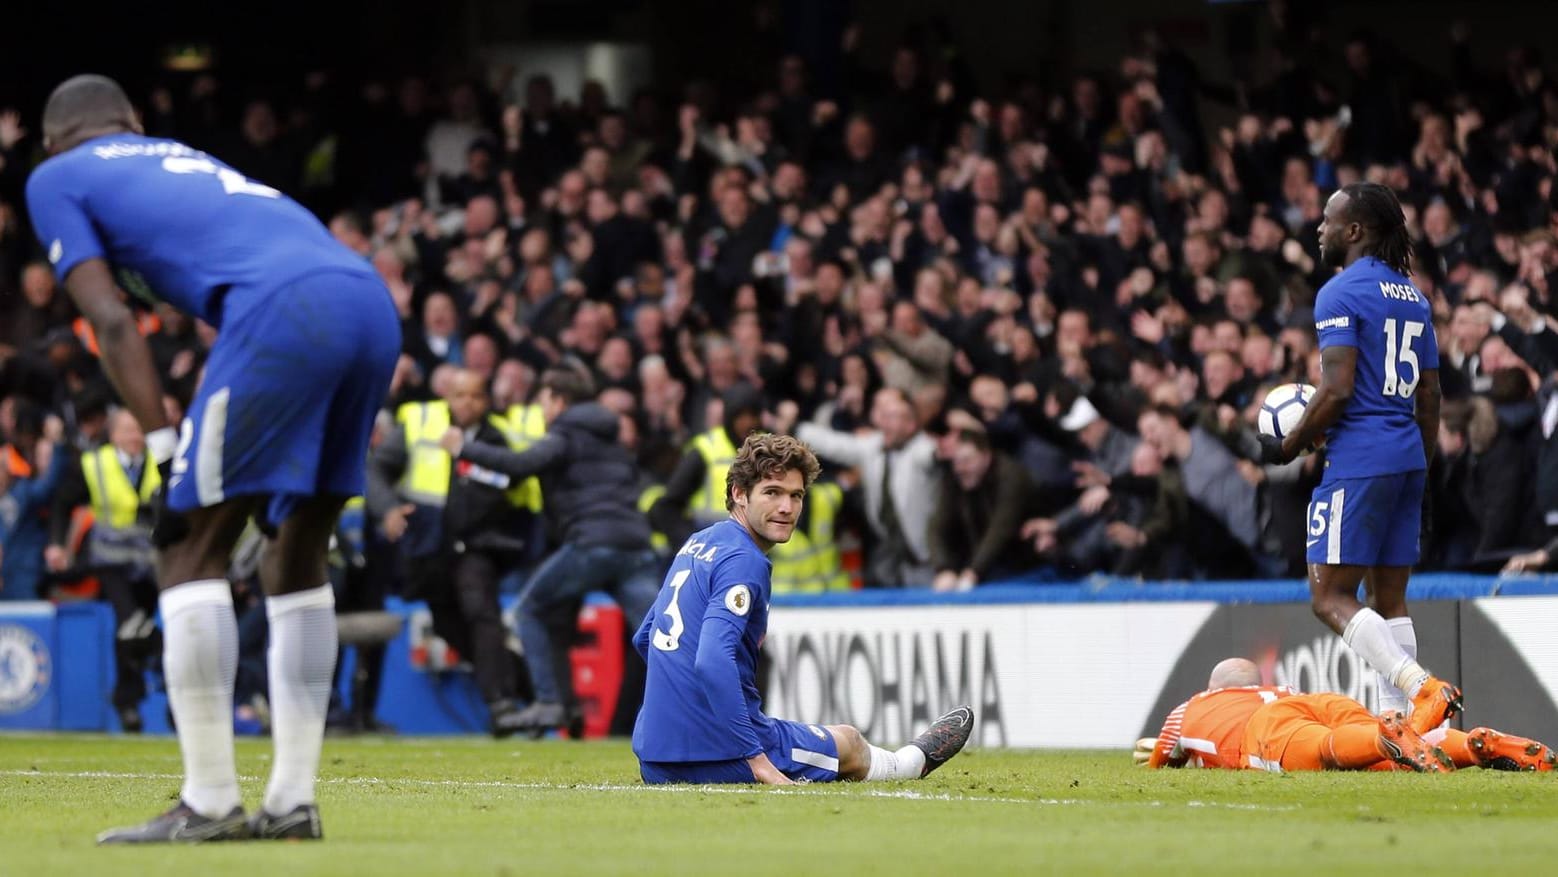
x: 478, y: 537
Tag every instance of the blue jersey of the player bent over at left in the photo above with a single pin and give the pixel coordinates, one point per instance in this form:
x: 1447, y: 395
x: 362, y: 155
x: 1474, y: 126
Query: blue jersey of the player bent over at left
x: 175, y: 224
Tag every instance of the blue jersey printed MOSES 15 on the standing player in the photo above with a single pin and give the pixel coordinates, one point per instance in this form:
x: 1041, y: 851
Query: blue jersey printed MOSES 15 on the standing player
x: 1380, y: 312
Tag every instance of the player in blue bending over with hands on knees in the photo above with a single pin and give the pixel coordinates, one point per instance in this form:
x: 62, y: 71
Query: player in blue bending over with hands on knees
x: 278, y: 429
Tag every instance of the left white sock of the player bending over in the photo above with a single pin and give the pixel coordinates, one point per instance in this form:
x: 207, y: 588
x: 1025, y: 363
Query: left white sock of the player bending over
x: 200, y: 658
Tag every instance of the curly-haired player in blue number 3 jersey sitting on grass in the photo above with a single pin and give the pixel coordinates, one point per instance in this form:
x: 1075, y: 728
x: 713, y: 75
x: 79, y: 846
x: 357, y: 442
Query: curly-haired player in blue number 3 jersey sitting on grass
x: 702, y: 719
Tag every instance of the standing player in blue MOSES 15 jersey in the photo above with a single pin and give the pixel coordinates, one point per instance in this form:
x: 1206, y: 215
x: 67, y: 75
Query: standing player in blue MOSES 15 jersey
x: 1378, y: 409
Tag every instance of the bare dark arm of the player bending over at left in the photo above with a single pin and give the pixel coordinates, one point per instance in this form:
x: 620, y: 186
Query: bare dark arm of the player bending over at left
x: 127, y: 359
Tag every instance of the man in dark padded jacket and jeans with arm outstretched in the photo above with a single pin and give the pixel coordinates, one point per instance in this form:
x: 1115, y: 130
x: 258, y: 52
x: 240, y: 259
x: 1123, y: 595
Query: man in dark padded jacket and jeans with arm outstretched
x: 588, y: 481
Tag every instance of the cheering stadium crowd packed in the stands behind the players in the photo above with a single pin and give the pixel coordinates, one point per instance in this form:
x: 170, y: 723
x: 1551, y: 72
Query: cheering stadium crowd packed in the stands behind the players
x: 1026, y: 331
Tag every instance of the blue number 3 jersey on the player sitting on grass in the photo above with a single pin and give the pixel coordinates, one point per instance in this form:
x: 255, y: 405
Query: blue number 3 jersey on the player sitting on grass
x: 700, y: 643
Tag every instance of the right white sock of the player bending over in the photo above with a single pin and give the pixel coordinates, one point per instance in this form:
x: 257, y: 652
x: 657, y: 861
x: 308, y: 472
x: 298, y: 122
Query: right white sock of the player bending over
x: 301, y: 663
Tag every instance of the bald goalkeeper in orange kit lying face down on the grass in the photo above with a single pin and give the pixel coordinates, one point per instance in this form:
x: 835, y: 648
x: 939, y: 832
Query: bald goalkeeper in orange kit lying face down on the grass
x: 1241, y: 724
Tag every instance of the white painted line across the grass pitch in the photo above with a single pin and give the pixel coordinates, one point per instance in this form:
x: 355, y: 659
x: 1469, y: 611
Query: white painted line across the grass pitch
x: 889, y: 794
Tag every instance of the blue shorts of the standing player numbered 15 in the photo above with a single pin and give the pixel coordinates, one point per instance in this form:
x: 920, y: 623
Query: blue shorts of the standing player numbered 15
x: 1369, y: 523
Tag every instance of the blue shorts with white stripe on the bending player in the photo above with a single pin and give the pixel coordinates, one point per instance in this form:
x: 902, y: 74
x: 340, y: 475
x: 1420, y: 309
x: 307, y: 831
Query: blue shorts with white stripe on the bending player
x: 291, y: 393
